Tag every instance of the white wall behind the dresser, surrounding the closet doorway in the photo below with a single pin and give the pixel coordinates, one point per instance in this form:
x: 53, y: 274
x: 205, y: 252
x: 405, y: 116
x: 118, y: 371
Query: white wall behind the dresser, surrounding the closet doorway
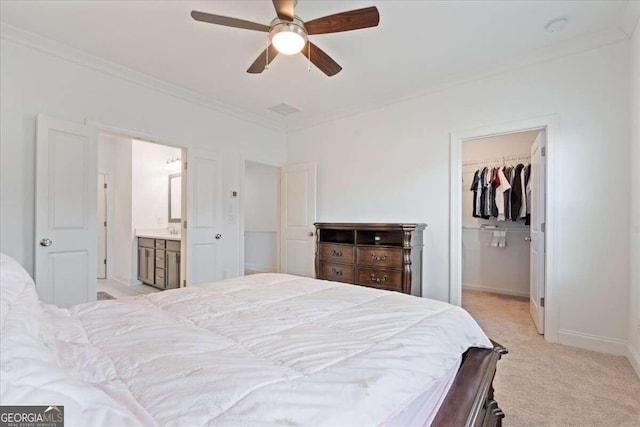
x: 392, y: 164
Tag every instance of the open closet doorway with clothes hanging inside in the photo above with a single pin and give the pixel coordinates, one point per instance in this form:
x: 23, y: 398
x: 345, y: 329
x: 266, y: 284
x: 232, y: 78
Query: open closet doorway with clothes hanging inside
x: 499, y: 247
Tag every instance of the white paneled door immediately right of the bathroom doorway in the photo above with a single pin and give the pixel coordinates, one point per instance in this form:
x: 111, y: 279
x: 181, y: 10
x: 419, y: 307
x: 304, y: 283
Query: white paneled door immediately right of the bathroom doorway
x: 203, y: 214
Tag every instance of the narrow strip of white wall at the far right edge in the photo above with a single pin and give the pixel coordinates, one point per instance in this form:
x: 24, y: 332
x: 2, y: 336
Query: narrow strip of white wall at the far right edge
x: 634, y: 297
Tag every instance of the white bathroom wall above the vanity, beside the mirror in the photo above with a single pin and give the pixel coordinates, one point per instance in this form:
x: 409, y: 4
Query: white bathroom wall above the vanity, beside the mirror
x: 150, y: 184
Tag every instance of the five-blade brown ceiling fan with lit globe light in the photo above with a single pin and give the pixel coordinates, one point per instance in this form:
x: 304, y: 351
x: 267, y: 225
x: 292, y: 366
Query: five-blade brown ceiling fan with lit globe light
x: 288, y: 34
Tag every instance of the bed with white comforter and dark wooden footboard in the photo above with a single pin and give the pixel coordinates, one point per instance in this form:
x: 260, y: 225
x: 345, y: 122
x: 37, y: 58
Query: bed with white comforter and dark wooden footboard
x: 266, y: 349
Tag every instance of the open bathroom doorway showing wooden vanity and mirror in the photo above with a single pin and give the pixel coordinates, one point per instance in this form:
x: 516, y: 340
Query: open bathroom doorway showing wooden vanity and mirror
x: 142, y: 206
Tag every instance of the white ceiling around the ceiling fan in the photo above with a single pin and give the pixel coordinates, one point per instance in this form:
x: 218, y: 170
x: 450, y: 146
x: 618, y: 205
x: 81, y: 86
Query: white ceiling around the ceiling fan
x: 417, y: 46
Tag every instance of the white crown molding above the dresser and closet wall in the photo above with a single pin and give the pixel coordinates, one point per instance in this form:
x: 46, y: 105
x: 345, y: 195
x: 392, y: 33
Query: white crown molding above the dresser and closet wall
x: 558, y: 51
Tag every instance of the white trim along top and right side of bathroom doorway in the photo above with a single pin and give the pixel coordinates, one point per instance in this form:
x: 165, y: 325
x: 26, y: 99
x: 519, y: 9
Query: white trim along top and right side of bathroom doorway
x: 136, y: 134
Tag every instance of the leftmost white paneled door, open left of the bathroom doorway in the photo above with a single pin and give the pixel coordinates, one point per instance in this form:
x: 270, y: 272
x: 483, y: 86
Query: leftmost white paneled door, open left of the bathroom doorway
x: 66, y: 212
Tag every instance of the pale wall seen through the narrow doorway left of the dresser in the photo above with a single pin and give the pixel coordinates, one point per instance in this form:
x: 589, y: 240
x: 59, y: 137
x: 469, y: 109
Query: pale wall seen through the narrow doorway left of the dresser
x: 261, y: 217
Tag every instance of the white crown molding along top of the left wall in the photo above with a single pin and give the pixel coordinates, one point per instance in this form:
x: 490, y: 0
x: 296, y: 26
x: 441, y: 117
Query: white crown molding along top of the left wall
x: 79, y: 57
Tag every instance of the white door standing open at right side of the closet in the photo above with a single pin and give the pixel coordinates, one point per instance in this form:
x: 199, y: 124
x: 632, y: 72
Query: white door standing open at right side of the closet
x: 537, y: 180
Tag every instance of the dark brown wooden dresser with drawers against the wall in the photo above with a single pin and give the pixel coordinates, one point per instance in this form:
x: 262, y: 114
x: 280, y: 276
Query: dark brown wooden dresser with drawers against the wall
x: 383, y: 256
